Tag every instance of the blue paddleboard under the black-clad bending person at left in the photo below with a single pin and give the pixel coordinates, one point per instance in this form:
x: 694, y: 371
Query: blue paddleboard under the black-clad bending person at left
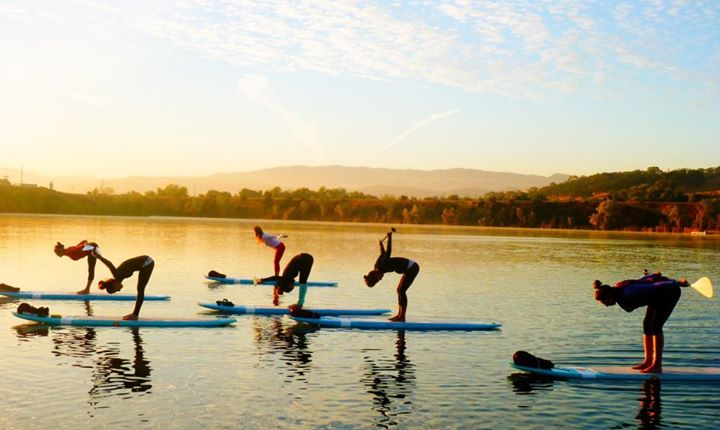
x: 98, y: 321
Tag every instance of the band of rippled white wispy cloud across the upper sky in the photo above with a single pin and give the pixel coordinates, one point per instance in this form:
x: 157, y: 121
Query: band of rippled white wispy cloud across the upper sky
x: 516, y: 48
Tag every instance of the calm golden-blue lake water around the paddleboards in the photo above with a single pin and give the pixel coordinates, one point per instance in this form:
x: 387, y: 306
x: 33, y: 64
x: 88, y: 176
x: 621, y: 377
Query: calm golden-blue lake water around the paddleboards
x: 269, y: 372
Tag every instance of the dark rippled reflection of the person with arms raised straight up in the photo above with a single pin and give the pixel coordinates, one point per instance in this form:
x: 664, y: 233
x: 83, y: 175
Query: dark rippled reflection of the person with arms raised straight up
x: 390, y: 381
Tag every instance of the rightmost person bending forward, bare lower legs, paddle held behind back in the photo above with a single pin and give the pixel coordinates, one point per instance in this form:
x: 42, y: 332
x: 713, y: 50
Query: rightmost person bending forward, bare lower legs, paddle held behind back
x: 660, y: 294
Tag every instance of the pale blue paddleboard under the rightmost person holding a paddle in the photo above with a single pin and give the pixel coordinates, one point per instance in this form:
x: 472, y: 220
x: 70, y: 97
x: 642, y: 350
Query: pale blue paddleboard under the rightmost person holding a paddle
x: 626, y: 373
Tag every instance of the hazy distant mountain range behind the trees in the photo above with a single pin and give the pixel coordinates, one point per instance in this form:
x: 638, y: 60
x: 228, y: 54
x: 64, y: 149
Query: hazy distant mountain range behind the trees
x: 375, y: 181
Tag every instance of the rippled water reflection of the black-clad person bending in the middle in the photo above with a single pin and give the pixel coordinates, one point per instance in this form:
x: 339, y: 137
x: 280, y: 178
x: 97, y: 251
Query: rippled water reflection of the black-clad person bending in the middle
x: 290, y: 342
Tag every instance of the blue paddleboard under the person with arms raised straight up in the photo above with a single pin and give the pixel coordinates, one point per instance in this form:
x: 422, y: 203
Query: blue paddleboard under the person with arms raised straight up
x: 336, y: 322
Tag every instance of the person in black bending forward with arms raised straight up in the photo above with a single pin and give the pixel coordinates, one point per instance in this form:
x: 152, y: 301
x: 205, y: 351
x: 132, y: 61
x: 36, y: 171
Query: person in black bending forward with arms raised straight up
x: 386, y: 264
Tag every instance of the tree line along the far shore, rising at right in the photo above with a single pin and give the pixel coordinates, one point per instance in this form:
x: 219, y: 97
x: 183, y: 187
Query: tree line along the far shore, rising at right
x: 679, y: 201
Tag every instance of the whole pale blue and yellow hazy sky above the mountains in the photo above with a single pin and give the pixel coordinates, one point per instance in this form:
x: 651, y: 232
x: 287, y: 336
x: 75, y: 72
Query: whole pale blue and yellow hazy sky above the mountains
x: 113, y: 89
